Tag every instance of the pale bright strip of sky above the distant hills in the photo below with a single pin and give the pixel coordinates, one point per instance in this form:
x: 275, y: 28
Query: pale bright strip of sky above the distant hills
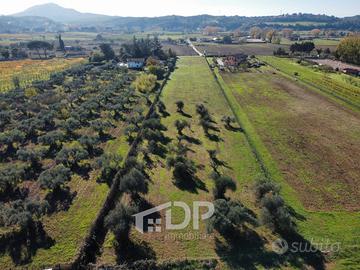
x: 153, y: 8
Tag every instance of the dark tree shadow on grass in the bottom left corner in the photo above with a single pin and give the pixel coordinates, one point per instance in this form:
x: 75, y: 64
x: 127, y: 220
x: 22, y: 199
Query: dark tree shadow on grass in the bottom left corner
x: 23, y: 245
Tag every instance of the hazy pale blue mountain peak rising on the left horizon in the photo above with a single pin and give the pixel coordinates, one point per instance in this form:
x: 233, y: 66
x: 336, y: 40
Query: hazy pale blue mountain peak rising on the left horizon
x: 60, y: 14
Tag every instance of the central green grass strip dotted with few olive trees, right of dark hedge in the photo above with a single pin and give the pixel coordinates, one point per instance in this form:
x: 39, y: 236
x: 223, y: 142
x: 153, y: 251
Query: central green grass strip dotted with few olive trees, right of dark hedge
x: 193, y: 83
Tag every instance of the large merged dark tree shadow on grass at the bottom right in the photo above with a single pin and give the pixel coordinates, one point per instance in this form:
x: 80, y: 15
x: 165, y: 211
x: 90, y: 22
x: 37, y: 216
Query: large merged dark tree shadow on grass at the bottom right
x: 246, y: 250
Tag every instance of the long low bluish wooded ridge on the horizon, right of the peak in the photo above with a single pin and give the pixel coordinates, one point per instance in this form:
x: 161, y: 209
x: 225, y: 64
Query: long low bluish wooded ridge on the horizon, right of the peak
x: 229, y: 23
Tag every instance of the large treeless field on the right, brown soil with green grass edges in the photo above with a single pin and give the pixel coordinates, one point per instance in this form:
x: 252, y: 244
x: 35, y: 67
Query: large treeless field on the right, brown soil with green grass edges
x: 288, y: 126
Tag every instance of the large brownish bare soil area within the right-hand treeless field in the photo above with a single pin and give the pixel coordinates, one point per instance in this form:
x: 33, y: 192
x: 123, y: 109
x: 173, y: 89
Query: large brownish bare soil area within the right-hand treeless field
x: 315, y: 141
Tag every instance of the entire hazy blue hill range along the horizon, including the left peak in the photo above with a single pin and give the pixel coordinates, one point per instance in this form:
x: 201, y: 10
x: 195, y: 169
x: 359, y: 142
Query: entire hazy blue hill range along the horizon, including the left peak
x: 76, y: 21
